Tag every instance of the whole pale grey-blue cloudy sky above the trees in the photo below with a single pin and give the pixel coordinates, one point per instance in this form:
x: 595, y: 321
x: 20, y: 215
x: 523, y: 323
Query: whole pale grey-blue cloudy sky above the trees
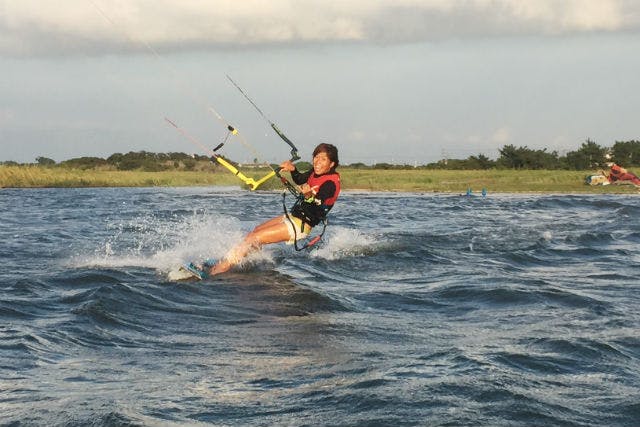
x: 397, y: 81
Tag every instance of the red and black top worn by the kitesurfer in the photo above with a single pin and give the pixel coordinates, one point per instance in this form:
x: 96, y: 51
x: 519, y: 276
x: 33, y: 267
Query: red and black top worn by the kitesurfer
x: 325, y: 187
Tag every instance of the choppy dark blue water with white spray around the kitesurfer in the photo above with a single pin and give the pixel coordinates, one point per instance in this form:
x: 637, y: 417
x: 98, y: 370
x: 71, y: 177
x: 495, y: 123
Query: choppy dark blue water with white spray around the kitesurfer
x: 416, y: 310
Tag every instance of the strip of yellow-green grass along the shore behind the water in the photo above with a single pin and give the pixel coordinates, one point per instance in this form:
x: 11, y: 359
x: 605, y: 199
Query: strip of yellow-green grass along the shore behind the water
x: 415, y: 180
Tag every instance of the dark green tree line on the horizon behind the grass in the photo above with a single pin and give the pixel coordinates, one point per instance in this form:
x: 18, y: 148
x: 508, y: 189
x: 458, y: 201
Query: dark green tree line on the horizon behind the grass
x: 590, y: 155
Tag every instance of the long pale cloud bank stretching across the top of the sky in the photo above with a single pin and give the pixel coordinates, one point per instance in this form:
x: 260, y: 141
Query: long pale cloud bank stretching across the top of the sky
x: 34, y: 27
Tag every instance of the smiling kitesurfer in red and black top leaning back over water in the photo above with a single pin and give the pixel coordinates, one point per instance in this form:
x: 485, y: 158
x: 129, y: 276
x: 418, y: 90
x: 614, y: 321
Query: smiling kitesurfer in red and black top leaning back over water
x: 320, y: 187
